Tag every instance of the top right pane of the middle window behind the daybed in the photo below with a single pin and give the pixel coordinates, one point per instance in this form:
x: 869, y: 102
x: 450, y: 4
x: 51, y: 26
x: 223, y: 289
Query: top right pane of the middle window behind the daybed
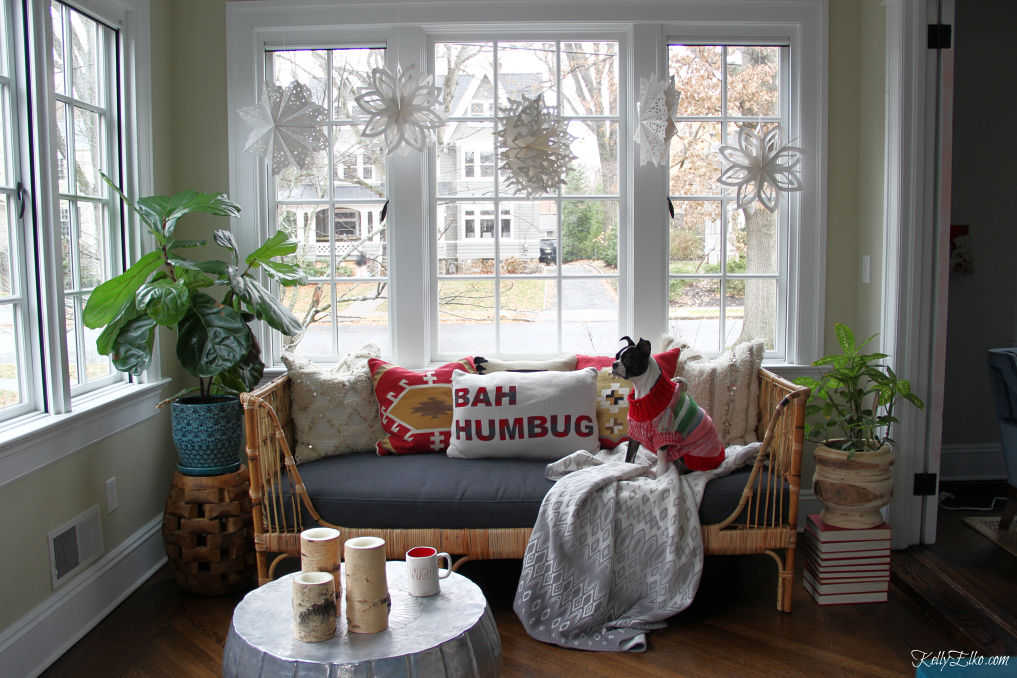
x: 589, y: 79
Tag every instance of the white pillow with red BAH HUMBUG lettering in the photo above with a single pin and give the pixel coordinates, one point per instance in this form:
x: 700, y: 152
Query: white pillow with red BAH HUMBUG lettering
x: 524, y: 415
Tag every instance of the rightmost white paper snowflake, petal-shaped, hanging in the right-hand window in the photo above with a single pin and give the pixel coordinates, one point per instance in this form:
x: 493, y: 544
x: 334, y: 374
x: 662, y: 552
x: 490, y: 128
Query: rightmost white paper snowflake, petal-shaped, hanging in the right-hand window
x: 761, y: 167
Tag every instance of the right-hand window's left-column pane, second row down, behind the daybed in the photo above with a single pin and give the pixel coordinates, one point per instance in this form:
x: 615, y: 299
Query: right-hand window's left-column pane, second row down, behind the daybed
x: 695, y: 159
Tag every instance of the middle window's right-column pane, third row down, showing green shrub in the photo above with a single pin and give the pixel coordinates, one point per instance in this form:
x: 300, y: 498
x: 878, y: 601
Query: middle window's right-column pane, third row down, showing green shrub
x: 589, y: 237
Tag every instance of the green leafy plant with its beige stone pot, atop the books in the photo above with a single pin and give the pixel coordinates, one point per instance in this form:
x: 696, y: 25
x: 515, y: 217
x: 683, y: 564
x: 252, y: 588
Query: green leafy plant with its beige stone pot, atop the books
x: 850, y: 415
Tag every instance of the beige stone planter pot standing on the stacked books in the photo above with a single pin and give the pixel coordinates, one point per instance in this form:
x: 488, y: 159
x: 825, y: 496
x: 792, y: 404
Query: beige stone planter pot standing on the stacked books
x: 854, y: 490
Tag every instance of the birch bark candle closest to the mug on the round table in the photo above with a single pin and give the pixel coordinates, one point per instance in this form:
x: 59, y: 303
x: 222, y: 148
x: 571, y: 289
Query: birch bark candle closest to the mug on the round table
x: 368, y: 601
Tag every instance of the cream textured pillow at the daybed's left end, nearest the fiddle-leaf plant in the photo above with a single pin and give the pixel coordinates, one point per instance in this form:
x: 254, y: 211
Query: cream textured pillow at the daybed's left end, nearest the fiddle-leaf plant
x: 334, y: 411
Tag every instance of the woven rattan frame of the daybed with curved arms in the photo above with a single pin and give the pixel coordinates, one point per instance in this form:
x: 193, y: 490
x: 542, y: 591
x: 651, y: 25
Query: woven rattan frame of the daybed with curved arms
x: 764, y: 522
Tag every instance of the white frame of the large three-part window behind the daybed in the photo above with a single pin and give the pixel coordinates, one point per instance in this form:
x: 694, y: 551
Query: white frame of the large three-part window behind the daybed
x: 409, y: 28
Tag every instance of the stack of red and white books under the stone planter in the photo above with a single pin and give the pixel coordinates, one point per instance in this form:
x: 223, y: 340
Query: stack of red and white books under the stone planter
x: 846, y: 566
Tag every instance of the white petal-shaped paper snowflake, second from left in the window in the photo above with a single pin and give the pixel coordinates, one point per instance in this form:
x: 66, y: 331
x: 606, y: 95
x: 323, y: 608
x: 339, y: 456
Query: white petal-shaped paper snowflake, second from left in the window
x: 403, y: 107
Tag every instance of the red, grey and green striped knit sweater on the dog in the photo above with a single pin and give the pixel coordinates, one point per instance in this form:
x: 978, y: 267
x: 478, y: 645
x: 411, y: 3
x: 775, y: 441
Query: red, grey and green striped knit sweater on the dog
x: 669, y: 418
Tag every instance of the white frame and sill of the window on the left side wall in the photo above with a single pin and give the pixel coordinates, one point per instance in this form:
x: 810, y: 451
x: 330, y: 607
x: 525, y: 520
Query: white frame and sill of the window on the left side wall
x: 59, y: 424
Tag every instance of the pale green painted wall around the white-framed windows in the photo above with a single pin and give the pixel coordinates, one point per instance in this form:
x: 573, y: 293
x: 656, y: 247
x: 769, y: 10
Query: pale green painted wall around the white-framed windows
x: 189, y: 44
